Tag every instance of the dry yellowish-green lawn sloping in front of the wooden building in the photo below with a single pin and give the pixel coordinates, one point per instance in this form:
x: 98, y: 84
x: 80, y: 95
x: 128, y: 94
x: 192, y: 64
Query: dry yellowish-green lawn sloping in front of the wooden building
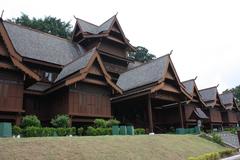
x: 157, y: 147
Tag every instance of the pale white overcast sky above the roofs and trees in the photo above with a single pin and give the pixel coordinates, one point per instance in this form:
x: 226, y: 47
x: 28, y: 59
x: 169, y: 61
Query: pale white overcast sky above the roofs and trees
x: 203, y: 34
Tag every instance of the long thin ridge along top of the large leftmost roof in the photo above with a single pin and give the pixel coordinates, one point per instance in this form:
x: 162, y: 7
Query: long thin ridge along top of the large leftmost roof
x: 38, y: 31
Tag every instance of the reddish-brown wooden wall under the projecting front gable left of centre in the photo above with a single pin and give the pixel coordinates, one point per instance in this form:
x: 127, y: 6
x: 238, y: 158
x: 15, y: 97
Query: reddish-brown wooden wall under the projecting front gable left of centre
x: 89, y: 100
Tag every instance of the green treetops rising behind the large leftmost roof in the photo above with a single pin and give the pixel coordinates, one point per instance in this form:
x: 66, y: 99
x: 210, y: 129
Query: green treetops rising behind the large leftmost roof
x: 48, y: 24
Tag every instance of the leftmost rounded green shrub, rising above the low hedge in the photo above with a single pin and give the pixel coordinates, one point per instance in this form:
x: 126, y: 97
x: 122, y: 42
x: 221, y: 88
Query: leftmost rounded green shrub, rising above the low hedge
x: 30, y: 121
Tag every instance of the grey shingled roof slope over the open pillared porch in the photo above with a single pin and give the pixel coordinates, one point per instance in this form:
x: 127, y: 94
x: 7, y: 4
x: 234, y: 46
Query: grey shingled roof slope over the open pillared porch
x: 144, y: 74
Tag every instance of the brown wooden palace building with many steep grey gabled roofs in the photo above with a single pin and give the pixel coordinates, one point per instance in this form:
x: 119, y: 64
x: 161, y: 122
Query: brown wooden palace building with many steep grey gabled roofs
x: 91, y: 76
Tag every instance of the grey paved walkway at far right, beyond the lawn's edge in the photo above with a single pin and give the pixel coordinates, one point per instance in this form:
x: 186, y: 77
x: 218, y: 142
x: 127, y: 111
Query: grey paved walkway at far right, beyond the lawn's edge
x: 230, y: 139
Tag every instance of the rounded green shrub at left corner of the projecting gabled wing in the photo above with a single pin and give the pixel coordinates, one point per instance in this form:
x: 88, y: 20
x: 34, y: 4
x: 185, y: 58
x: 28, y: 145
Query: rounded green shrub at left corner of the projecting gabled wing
x: 60, y: 121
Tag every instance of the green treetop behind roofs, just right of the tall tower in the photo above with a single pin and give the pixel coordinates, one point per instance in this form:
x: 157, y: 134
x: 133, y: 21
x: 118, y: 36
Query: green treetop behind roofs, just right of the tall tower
x: 141, y: 54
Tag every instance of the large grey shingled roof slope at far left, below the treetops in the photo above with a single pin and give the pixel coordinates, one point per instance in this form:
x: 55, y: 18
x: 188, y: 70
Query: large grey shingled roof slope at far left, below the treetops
x: 41, y: 46
